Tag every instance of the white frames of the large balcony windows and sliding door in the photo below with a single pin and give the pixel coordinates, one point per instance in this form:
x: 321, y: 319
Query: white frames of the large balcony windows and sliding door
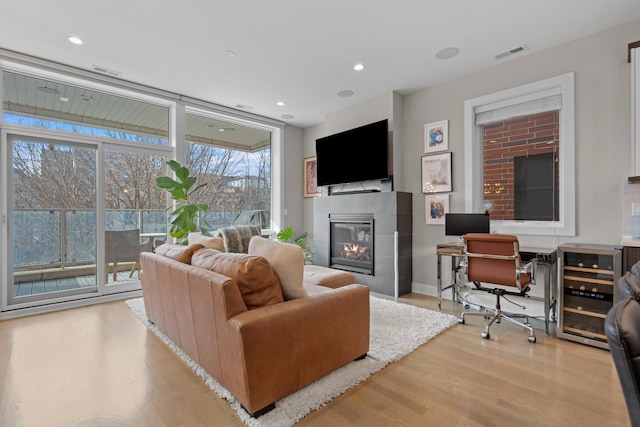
x: 175, y: 150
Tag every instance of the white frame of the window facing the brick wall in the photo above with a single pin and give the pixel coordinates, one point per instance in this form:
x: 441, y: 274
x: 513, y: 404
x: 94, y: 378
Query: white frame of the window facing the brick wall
x: 562, y: 85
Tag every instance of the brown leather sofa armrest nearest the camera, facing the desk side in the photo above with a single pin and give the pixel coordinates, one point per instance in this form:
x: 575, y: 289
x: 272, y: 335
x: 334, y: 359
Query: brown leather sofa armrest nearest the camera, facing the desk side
x: 289, y: 345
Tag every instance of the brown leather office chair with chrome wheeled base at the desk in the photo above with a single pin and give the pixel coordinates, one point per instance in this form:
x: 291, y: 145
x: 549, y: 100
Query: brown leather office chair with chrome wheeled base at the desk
x: 494, y: 259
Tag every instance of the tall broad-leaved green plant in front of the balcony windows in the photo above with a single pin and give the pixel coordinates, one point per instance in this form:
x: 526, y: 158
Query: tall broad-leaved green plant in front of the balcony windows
x: 184, y: 217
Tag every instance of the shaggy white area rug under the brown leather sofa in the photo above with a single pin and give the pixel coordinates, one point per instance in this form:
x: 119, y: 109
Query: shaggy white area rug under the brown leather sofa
x: 396, y: 330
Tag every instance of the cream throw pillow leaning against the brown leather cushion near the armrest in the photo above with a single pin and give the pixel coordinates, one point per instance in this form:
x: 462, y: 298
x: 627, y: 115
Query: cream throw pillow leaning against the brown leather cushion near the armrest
x: 287, y: 261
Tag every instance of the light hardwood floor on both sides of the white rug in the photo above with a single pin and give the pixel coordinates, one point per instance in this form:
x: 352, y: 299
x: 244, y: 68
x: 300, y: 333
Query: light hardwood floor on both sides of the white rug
x: 100, y: 366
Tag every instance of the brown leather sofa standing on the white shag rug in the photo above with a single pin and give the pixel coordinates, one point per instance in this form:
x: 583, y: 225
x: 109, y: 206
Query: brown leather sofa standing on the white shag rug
x: 258, y: 346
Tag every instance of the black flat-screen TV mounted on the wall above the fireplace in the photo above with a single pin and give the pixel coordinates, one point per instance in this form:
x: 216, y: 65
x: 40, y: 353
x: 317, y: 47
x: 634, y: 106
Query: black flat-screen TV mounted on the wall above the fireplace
x: 359, y: 154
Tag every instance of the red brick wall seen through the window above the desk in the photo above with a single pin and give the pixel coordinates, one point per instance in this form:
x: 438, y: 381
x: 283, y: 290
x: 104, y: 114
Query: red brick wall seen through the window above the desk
x: 504, y: 140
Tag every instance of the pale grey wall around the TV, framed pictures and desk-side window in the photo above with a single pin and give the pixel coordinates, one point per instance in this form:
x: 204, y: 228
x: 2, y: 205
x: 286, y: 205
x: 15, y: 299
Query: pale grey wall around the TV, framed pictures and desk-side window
x: 602, y: 111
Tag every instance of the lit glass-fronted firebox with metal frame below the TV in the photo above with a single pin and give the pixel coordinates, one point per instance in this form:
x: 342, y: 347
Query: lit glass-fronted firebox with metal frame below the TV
x: 351, y: 242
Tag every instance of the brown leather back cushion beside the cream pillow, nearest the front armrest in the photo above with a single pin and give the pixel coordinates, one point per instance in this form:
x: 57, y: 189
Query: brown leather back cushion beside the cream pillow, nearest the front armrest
x: 258, y: 283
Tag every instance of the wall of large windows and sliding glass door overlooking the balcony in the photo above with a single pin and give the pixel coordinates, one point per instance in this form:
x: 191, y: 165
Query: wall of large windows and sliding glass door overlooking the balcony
x: 80, y: 158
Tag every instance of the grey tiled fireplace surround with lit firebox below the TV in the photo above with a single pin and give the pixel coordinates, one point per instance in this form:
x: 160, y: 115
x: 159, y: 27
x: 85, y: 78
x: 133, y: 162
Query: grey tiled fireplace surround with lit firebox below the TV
x: 367, y: 234
